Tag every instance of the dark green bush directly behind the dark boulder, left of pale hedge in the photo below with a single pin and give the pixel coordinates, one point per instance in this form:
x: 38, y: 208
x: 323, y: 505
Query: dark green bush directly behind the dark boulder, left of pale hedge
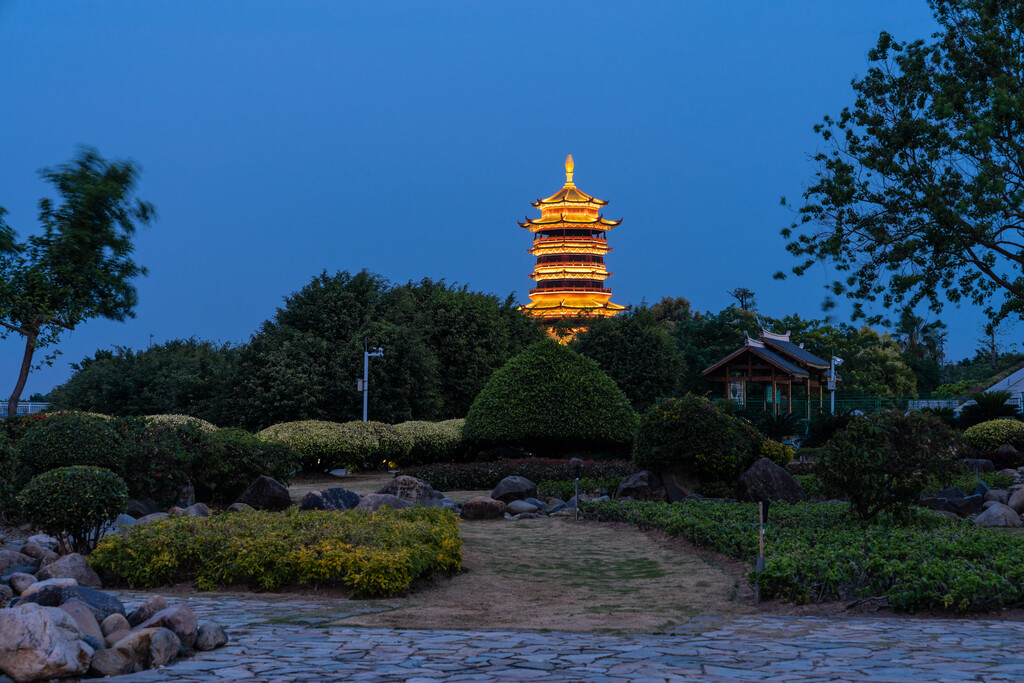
x: 233, y: 459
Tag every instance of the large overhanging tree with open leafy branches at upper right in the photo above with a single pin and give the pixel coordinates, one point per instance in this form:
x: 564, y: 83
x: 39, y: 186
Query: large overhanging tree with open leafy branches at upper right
x: 921, y: 196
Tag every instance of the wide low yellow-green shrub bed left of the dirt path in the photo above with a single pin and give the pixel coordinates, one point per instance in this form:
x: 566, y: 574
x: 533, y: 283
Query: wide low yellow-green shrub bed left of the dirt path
x: 376, y: 553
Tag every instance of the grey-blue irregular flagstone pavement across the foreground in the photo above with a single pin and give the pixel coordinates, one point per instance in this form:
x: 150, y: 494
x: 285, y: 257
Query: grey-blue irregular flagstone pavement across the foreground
x: 756, y: 649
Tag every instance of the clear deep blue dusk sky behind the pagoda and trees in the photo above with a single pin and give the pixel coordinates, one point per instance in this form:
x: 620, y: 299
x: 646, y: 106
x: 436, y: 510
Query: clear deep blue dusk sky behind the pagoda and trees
x: 278, y: 140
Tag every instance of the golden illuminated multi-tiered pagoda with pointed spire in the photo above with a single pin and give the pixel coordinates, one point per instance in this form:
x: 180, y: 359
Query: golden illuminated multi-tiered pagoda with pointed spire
x: 570, y: 244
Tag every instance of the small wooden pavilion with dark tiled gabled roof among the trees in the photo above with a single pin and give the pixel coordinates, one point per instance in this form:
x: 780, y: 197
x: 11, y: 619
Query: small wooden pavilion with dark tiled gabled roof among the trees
x: 775, y: 365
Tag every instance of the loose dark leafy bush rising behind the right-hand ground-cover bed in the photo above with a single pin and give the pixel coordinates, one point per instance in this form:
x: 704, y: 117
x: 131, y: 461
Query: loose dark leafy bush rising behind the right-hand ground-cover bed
x: 883, y: 462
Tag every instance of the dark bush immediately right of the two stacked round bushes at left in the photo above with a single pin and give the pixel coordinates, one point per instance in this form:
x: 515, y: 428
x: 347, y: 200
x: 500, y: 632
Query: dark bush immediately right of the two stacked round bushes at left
x: 160, y: 457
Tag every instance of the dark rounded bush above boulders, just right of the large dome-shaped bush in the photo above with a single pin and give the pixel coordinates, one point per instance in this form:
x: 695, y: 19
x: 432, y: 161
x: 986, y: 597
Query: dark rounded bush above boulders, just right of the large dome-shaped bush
x: 694, y: 436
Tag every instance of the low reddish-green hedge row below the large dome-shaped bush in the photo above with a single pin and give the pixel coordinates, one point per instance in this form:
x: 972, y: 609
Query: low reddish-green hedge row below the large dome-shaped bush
x: 470, y: 477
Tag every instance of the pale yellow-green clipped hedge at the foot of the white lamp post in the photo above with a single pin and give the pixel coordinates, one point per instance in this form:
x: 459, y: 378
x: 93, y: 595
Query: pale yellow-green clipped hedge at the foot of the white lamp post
x: 351, y: 445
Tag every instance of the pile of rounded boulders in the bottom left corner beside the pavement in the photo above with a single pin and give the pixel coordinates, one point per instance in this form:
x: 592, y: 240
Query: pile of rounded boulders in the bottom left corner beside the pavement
x: 55, y: 622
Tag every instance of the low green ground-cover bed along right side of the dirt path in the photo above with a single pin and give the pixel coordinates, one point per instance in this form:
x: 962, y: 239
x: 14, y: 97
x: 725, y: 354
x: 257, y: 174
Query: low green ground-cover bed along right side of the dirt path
x: 820, y: 552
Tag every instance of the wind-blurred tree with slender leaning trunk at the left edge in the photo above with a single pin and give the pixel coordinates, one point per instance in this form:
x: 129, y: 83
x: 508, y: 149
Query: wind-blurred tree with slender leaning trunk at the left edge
x: 81, y: 267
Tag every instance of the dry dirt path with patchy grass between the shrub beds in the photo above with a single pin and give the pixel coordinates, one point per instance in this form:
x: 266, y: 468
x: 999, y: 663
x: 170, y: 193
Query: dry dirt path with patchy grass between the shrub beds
x: 553, y: 574
